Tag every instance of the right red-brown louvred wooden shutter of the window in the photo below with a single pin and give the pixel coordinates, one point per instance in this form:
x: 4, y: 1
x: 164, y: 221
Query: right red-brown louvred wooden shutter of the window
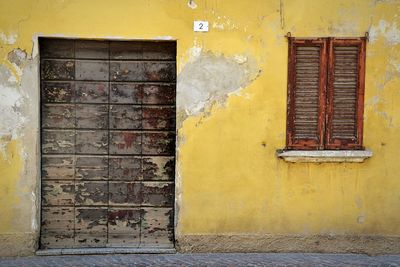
x: 345, y: 94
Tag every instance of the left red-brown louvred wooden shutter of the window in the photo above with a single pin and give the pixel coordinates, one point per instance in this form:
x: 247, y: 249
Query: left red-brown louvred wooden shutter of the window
x: 306, y: 94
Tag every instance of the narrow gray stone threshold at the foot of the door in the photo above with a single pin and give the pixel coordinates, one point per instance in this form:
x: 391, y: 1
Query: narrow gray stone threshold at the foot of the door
x: 89, y: 251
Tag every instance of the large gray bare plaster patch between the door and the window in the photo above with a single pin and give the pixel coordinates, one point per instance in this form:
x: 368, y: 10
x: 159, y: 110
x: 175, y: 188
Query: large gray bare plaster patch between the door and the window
x: 211, y: 78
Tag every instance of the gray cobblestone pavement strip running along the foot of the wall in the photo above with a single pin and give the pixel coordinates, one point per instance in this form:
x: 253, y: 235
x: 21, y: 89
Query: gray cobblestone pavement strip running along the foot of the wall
x: 217, y: 259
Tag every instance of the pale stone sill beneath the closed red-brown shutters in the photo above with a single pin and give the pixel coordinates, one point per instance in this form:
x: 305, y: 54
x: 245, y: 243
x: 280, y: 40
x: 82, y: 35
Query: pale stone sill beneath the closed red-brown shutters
x: 324, y: 155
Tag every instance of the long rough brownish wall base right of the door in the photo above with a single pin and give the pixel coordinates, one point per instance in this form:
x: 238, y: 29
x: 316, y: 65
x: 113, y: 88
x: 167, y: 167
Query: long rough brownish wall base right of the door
x: 371, y: 245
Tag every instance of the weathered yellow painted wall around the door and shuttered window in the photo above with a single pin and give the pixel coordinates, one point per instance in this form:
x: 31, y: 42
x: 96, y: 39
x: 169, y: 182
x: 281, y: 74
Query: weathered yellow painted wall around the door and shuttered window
x: 228, y: 177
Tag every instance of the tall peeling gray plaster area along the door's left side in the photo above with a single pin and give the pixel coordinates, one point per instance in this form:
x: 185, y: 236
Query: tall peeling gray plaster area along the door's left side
x: 19, y: 100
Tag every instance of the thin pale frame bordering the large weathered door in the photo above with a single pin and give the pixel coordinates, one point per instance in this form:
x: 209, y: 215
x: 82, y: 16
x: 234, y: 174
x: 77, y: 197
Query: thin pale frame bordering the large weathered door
x: 36, y: 57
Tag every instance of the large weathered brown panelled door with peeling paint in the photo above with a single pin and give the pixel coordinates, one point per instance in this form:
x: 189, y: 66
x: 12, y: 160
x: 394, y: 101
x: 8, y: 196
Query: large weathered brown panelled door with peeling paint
x: 107, y: 143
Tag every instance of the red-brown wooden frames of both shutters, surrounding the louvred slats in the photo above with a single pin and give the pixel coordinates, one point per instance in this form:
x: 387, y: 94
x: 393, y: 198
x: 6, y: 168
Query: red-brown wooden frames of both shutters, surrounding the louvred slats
x: 325, y: 105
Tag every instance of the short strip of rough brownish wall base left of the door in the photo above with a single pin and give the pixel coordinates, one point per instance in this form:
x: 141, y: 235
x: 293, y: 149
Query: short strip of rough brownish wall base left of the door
x: 18, y: 244
